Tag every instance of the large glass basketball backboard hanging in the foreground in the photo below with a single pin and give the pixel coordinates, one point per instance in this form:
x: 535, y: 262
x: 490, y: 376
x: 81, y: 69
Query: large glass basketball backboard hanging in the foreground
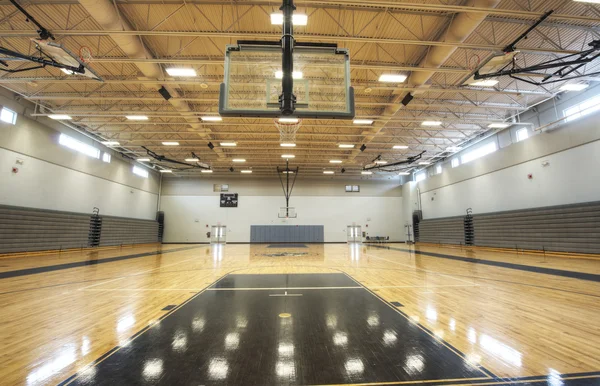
x: 252, y: 81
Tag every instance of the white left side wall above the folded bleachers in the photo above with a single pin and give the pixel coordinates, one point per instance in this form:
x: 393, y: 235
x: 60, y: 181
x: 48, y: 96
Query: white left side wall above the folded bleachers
x: 53, y: 177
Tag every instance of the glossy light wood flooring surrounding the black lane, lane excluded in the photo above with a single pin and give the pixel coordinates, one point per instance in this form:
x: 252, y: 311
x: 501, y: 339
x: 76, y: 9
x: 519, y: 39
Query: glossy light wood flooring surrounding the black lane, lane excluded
x: 528, y: 317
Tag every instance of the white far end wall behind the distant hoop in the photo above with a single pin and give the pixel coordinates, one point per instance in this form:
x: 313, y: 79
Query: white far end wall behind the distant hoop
x: 190, y: 206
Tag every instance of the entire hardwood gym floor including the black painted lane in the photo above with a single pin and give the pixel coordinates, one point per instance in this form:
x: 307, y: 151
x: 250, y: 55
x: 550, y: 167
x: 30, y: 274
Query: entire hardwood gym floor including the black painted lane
x: 254, y: 314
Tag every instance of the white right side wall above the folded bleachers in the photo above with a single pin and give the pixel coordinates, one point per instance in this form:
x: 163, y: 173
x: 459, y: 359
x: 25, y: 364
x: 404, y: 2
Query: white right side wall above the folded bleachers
x: 499, y: 181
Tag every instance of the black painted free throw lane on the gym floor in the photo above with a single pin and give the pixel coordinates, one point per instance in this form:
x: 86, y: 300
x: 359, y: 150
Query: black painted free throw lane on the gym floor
x: 242, y: 337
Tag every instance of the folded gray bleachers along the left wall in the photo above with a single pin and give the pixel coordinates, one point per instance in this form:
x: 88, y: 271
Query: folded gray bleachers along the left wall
x: 30, y: 229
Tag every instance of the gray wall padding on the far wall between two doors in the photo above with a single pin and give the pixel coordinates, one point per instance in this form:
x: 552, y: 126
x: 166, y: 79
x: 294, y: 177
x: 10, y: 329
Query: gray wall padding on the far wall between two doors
x: 287, y: 233
